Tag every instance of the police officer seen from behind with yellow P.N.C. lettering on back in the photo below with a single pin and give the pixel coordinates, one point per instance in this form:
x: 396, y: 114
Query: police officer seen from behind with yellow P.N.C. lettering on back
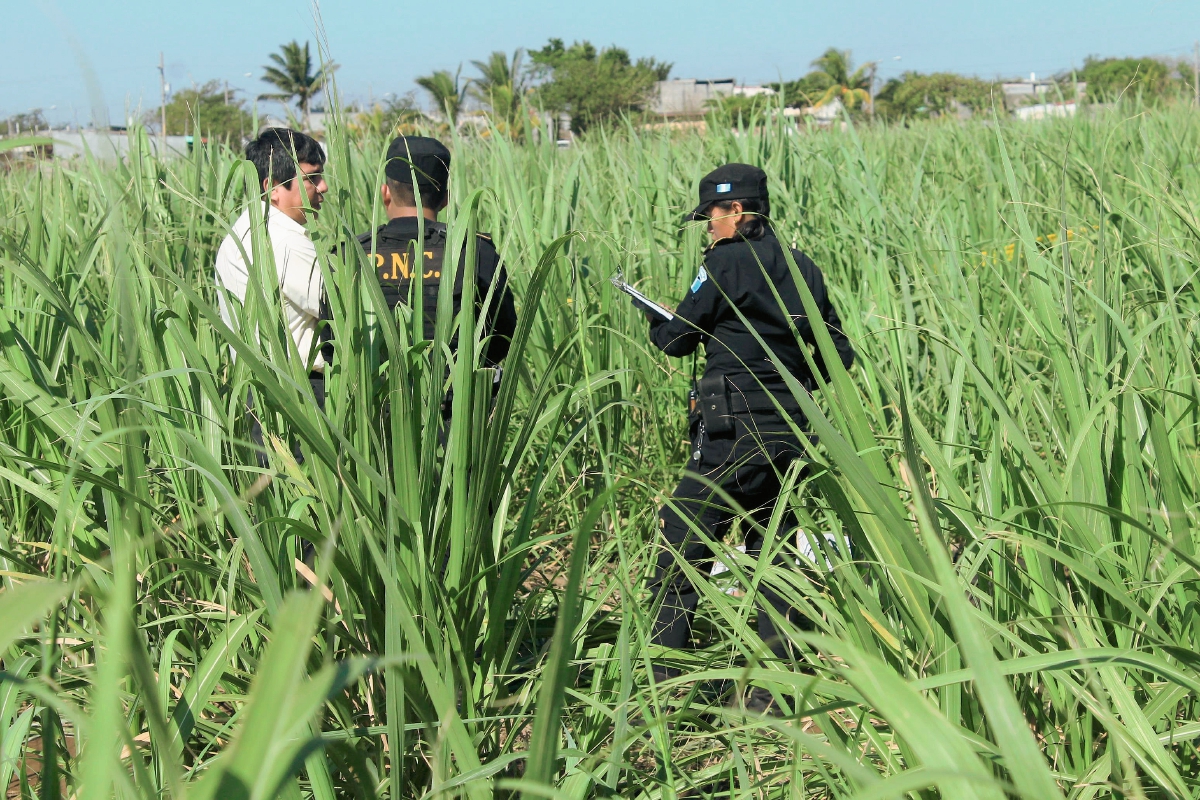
x: 398, y: 255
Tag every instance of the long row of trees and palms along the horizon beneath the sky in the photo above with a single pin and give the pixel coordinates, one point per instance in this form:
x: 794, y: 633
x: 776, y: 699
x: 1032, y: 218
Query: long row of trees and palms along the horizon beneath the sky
x: 593, y: 86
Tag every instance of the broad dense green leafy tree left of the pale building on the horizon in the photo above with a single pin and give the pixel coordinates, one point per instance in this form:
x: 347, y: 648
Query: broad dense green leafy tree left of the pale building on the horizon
x: 596, y: 87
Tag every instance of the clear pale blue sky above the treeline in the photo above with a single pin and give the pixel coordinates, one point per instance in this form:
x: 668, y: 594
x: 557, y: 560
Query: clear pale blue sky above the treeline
x: 57, y: 49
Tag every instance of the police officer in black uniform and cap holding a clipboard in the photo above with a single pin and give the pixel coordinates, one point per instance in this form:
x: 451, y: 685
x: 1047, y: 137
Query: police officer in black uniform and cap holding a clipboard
x: 740, y: 442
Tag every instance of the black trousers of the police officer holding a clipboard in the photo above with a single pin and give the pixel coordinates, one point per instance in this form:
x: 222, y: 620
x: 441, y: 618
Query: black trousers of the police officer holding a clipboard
x: 747, y: 467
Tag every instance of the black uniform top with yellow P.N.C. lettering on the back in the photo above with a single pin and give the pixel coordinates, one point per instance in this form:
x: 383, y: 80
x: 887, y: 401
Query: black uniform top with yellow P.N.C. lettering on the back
x: 395, y: 262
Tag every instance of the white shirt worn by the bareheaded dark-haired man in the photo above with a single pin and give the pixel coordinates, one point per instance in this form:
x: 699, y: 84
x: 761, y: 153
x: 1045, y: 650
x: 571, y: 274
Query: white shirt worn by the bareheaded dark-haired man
x: 301, y: 280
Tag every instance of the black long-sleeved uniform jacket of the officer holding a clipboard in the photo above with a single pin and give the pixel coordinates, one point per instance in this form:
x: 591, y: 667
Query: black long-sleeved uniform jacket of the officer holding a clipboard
x: 740, y: 274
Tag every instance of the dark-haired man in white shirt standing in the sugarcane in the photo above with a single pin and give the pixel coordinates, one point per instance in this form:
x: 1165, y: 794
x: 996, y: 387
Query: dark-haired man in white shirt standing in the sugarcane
x: 290, y: 167
